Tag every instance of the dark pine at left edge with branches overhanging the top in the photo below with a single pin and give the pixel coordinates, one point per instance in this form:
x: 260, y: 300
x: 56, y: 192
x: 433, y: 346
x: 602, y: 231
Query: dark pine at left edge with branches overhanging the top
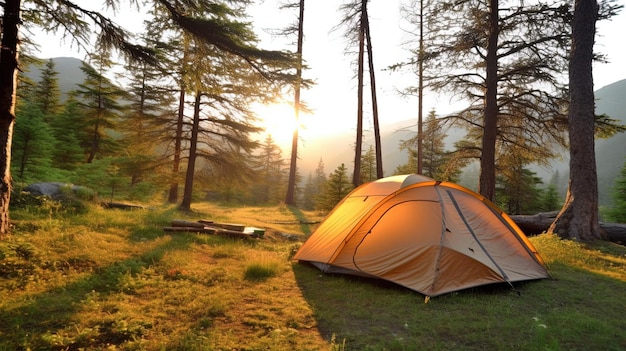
x: 218, y: 29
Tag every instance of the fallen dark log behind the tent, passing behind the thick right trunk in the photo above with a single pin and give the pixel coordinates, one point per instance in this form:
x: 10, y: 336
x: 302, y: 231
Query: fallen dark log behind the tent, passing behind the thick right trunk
x: 540, y: 222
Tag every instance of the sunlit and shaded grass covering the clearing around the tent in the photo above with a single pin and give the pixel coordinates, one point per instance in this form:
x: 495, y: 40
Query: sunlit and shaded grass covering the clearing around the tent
x: 112, y: 279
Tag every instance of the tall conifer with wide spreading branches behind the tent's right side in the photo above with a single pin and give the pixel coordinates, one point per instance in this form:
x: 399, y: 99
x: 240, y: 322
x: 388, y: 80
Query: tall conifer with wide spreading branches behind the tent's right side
x: 501, y: 73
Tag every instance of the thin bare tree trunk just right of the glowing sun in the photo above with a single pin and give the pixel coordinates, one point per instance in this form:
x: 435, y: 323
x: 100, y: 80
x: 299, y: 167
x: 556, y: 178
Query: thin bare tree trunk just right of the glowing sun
x: 291, y: 186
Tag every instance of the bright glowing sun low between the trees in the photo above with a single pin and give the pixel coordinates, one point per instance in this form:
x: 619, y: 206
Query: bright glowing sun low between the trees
x: 279, y: 121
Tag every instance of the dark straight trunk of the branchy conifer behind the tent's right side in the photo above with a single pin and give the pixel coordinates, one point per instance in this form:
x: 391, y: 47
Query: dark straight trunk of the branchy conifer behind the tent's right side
x: 487, y: 182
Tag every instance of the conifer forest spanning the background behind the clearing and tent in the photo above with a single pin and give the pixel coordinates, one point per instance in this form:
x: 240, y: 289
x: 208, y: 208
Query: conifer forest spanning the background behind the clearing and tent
x: 182, y: 129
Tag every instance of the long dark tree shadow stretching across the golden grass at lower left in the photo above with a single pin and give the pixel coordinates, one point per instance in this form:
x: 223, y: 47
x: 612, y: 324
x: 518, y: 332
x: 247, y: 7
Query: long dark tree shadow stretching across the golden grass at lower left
x: 23, y: 327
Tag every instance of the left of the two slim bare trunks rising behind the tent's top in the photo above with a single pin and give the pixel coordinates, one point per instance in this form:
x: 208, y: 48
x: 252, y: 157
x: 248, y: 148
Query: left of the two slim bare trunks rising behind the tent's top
x: 356, y: 175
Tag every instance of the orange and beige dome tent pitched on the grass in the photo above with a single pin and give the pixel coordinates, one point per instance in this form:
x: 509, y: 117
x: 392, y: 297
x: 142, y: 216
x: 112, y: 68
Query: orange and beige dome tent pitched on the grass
x: 430, y: 236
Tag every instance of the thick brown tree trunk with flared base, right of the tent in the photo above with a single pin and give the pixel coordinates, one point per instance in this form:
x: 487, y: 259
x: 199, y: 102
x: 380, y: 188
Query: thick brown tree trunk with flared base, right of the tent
x: 578, y: 219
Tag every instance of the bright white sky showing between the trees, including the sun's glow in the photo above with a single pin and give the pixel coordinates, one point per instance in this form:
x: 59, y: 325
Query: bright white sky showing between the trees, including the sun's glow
x: 333, y: 97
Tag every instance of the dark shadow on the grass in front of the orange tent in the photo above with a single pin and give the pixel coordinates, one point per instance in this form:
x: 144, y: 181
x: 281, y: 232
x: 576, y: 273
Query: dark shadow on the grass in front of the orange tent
x: 578, y: 310
